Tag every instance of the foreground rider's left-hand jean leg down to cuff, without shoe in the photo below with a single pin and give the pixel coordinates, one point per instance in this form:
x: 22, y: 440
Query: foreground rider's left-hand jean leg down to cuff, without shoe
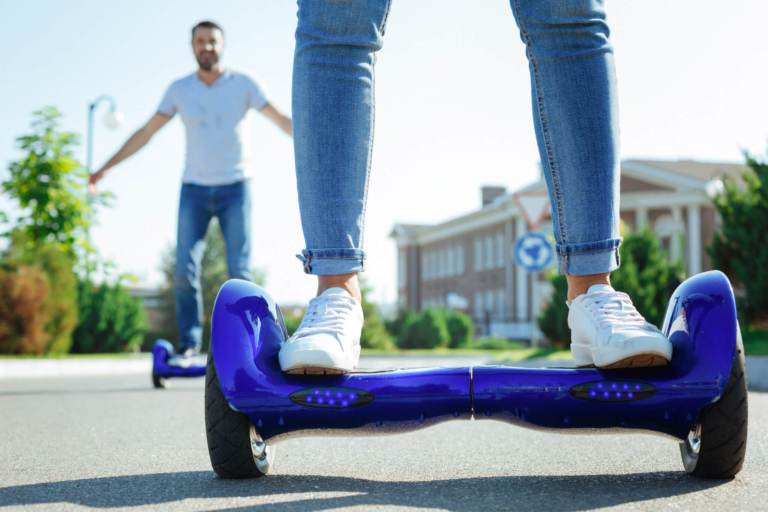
x: 333, y: 122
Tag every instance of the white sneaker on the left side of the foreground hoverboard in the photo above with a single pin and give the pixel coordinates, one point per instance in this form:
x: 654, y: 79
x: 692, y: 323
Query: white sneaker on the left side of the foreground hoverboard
x: 328, y: 338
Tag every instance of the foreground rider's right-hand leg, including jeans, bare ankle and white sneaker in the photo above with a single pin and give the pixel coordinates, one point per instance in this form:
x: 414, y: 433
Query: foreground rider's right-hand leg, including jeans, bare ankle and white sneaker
x: 575, y: 108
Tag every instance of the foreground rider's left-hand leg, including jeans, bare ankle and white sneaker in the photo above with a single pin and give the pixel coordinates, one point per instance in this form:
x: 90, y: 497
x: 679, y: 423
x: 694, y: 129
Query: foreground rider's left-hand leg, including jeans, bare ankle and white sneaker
x: 333, y: 121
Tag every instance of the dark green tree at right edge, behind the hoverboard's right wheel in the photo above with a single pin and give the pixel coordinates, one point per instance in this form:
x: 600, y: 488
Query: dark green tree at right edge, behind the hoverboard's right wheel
x: 740, y: 249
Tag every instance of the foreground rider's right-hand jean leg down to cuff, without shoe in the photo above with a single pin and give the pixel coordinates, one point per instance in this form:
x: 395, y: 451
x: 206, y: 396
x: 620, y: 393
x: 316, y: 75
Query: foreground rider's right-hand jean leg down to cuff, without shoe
x: 575, y: 112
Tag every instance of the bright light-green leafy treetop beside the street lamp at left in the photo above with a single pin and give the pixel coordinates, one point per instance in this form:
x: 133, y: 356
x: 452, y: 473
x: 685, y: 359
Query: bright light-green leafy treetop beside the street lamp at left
x: 49, y: 185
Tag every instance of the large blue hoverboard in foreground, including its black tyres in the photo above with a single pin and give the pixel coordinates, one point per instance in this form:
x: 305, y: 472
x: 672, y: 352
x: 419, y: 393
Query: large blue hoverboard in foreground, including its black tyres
x: 699, y: 399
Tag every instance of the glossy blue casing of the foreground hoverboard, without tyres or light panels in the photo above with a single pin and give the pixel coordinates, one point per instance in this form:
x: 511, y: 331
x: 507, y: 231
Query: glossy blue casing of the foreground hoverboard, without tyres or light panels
x: 700, y: 322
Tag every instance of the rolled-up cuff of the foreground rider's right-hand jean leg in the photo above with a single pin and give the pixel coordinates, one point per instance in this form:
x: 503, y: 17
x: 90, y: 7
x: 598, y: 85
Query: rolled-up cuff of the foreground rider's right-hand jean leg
x: 588, y: 258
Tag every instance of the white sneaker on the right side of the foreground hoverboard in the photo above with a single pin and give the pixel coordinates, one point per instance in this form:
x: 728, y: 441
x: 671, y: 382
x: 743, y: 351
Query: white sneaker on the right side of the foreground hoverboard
x: 608, y: 332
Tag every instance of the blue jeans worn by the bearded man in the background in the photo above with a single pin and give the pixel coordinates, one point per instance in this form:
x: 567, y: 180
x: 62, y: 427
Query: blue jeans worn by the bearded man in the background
x: 231, y: 204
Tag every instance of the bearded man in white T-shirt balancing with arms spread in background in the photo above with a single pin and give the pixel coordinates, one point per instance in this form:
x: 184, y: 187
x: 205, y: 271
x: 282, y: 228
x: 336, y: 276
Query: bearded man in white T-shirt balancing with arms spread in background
x: 213, y: 103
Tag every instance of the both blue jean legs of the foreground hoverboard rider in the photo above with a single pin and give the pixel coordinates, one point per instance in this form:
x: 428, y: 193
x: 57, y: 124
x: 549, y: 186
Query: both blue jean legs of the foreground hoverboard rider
x: 575, y: 111
